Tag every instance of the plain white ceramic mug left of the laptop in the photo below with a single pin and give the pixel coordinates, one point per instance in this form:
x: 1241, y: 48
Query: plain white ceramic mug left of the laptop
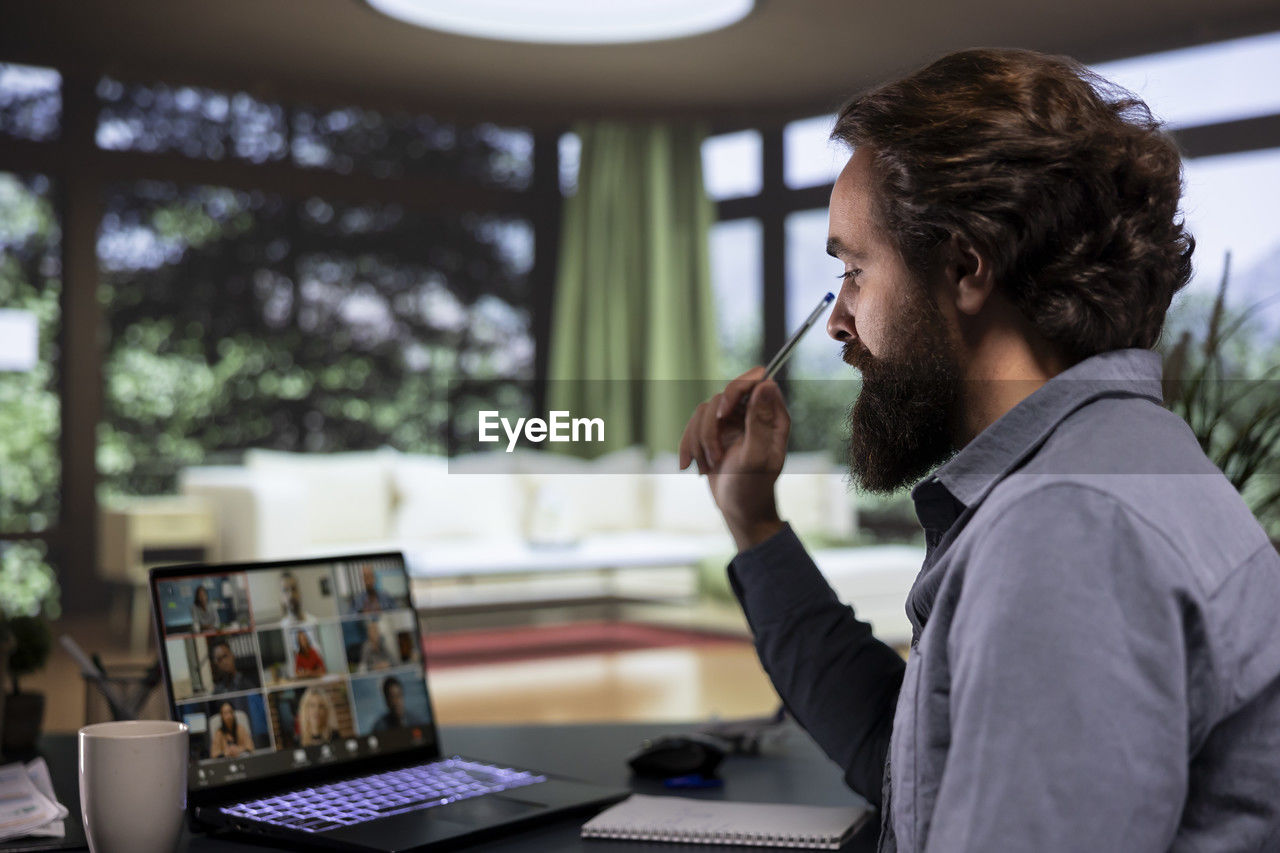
x: 134, y: 786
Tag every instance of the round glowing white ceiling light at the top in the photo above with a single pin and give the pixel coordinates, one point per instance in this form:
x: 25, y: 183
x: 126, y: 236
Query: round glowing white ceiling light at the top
x: 569, y: 22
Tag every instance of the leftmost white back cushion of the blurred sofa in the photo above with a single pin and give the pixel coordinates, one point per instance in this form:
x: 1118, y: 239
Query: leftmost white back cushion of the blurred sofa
x: 348, y: 496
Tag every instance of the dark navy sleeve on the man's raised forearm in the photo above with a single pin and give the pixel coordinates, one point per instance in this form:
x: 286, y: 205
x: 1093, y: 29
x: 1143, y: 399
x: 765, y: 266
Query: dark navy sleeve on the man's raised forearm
x: 838, y: 681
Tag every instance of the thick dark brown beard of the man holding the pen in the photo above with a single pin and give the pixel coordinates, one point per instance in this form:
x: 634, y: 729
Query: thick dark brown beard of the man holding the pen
x: 904, y: 422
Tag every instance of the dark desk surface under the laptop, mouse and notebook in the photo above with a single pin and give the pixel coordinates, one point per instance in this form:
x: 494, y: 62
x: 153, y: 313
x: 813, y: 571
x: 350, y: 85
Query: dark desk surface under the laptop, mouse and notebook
x: 792, y: 770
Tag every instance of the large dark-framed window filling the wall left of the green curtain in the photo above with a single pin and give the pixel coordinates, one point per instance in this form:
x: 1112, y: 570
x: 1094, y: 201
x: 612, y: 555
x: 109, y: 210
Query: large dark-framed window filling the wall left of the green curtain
x: 246, y: 273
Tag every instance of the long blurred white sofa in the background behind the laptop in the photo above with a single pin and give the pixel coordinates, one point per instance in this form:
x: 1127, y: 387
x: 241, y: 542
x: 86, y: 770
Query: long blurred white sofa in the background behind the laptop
x: 497, y: 514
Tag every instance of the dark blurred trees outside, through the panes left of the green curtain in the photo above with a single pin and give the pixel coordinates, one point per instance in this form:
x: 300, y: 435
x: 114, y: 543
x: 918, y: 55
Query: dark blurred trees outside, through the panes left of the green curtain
x: 243, y: 320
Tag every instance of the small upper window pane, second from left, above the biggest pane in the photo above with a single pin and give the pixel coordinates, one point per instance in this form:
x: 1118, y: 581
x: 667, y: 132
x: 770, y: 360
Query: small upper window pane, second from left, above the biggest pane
x: 186, y: 120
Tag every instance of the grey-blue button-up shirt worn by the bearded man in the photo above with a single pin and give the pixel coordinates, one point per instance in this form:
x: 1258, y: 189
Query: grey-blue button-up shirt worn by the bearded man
x: 1096, y: 656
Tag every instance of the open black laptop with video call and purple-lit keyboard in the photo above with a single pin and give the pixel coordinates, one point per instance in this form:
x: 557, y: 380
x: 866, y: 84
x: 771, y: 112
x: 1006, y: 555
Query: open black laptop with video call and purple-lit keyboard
x: 304, y: 686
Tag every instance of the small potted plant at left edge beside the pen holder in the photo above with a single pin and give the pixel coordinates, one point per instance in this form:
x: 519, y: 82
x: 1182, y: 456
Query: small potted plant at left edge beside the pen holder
x: 29, y: 600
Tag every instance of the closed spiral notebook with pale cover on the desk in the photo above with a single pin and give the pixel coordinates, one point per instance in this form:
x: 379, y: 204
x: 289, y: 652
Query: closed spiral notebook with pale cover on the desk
x: 706, y: 822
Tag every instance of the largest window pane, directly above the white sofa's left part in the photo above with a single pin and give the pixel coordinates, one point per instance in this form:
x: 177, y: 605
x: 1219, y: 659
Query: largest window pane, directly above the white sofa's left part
x: 240, y: 321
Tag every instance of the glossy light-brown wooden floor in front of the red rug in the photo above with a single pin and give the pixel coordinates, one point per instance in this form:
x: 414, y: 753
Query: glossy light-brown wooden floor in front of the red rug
x: 665, y: 685
